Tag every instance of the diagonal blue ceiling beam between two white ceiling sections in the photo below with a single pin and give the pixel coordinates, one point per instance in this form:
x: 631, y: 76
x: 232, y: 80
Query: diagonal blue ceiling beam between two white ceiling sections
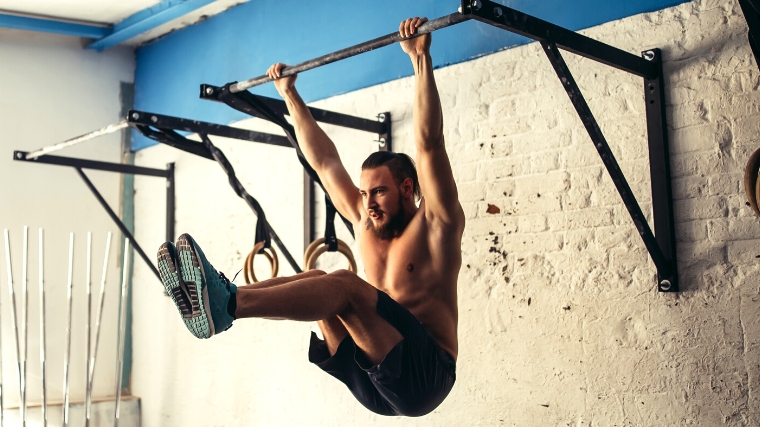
x: 146, y: 20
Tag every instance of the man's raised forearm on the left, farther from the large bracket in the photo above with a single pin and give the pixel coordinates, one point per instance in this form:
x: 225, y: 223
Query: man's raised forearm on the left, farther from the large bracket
x: 315, y: 144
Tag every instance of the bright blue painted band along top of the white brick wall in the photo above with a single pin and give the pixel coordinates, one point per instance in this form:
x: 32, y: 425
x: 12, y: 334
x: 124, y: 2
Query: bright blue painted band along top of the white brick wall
x: 242, y: 42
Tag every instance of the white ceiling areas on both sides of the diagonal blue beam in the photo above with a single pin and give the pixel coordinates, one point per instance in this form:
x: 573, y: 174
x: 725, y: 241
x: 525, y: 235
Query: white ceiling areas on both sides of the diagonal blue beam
x: 107, y: 12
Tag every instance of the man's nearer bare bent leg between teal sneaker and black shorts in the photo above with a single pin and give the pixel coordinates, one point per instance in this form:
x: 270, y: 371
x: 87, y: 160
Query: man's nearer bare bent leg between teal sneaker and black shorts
x: 342, y: 294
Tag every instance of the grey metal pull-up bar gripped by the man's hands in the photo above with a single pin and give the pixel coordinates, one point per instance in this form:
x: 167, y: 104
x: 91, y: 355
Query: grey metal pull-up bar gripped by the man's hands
x: 428, y: 27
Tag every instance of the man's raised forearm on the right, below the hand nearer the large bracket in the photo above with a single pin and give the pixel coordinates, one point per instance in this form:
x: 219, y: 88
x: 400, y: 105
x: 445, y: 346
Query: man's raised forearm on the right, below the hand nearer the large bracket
x: 428, y: 118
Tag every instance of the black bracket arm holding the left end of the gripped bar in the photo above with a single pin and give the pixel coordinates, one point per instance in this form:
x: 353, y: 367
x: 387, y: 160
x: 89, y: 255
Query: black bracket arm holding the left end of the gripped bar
x: 211, y: 93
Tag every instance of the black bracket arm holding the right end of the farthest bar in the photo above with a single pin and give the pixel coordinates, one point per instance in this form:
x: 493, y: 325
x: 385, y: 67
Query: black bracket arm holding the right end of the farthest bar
x: 159, y: 121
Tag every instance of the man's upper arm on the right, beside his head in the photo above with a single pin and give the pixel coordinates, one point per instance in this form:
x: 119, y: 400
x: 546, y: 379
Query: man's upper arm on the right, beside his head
x: 437, y: 184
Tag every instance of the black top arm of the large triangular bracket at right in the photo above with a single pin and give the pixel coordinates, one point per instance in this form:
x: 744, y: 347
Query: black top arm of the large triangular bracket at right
x: 529, y: 26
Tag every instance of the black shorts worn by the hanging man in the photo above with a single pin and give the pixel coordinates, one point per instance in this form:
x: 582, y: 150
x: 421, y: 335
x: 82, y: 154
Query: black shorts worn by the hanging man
x: 412, y: 380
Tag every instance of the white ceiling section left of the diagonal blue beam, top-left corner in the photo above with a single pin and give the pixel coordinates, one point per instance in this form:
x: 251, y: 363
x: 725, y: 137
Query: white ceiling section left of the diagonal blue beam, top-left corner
x: 96, y: 11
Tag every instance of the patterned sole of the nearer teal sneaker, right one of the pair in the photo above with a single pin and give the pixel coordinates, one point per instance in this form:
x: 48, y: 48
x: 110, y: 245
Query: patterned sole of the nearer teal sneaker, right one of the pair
x: 193, y: 275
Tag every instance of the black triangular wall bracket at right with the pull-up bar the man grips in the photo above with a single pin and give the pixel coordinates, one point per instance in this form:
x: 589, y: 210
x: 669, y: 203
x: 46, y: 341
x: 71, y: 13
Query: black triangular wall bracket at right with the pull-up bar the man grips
x: 661, y: 242
